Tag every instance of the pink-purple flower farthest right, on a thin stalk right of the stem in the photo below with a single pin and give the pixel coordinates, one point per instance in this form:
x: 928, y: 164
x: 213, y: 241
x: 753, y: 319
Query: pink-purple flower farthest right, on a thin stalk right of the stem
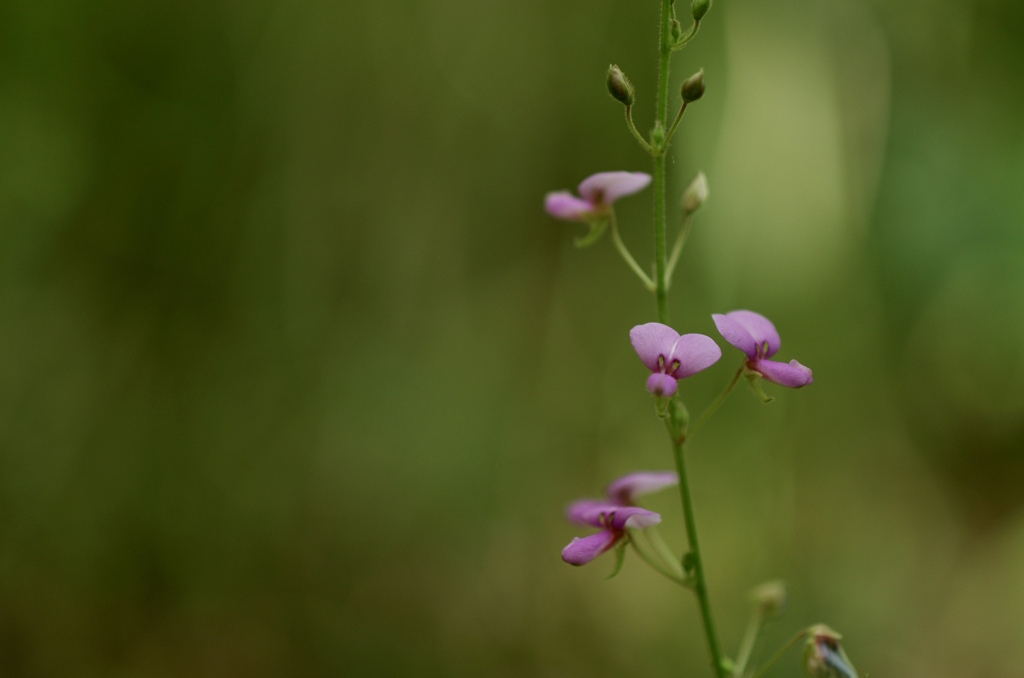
x: 755, y: 335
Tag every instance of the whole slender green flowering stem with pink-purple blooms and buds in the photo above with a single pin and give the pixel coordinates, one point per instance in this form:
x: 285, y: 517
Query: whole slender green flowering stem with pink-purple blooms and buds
x: 671, y: 357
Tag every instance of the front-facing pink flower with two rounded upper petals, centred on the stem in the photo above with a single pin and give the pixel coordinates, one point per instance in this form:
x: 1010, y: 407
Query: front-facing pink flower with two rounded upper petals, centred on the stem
x: 671, y: 357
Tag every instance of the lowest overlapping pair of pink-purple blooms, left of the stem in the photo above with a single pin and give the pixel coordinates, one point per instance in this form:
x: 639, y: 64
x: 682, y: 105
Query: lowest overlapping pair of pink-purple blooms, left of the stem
x: 614, y: 516
